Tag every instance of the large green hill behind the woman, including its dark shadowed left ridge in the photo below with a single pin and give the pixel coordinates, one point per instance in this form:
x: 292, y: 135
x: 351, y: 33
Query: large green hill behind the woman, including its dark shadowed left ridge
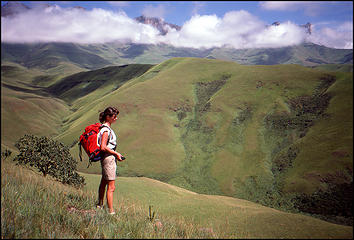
x: 268, y: 134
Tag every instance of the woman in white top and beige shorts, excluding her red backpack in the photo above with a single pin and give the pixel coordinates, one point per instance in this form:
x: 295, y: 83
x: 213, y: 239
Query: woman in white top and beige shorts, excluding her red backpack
x: 107, y: 141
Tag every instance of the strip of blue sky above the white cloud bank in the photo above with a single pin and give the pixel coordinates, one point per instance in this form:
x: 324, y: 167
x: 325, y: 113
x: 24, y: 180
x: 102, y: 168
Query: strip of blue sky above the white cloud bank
x: 178, y: 12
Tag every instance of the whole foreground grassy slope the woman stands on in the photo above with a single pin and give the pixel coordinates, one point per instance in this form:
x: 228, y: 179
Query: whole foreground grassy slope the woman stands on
x: 43, y: 208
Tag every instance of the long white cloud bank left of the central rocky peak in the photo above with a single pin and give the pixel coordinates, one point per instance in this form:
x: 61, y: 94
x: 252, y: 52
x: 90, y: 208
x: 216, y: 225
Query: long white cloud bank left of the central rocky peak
x: 75, y: 25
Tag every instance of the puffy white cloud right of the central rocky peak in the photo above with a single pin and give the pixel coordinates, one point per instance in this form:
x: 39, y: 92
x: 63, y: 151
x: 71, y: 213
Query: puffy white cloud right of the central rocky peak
x: 237, y: 29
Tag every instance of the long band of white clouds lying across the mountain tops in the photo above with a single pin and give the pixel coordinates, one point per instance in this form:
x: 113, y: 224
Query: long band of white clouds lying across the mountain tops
x: 237, y: 29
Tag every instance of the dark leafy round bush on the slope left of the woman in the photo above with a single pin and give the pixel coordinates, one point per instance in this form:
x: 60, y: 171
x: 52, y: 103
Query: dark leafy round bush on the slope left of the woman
x: 49, y: 157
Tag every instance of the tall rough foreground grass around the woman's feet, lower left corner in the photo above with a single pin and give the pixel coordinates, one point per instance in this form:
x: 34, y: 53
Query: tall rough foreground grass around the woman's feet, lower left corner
x: 35, y: 207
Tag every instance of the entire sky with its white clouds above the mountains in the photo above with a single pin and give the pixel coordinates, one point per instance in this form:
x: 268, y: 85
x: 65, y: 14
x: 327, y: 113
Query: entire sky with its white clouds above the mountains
x: 205, y: 24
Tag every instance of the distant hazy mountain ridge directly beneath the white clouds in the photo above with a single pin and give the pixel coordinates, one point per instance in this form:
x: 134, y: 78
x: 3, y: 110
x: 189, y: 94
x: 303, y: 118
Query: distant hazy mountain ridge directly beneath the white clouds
x: 47, y: 56
